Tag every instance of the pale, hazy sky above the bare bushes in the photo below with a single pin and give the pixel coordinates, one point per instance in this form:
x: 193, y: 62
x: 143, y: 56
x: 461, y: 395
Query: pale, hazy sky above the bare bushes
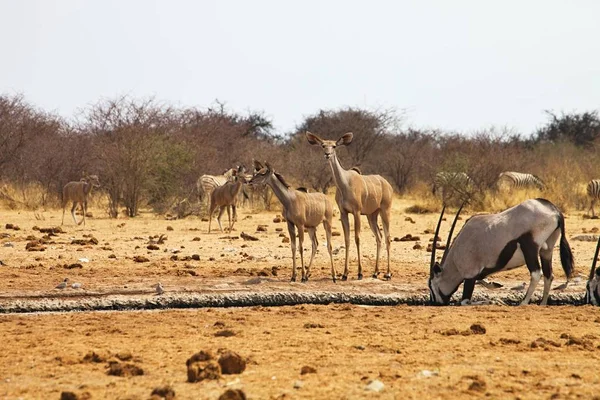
x: 456, y: 65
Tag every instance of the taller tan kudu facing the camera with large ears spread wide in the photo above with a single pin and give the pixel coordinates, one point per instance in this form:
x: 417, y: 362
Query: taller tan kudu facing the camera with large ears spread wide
x: 357, y: 194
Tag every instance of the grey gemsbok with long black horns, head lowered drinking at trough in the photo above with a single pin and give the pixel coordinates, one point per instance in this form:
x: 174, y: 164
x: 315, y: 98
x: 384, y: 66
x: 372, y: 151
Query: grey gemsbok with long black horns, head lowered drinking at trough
x: 498, y: 242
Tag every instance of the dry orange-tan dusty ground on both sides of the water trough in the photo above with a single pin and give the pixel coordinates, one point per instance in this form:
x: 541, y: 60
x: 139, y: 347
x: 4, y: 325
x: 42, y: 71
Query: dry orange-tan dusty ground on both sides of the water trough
x: 415, y: 351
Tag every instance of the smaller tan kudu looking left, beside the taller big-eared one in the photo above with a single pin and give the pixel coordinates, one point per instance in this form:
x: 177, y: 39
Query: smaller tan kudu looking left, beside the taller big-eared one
x: 301, y: 210
